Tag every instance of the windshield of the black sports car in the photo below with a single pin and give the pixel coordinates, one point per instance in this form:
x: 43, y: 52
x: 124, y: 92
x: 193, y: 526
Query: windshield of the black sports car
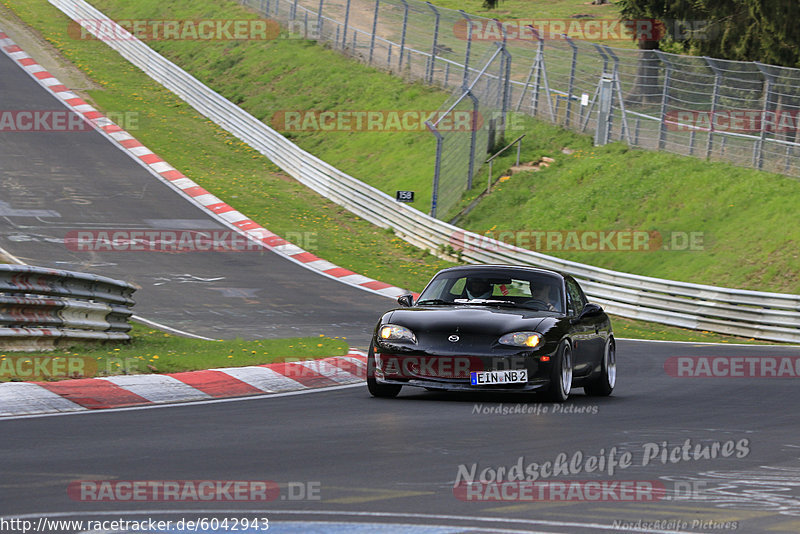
x: 531, y: 290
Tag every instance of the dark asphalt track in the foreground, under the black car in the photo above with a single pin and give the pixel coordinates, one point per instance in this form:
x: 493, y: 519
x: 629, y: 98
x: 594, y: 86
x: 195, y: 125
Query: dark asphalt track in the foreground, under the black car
x: 383, y: 461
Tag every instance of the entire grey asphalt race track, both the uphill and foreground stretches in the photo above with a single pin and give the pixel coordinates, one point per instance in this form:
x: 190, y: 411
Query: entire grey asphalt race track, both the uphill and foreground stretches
x: 367, y: 462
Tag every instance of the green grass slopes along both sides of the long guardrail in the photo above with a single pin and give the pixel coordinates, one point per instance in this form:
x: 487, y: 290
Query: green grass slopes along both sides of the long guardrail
x: 281, y: 74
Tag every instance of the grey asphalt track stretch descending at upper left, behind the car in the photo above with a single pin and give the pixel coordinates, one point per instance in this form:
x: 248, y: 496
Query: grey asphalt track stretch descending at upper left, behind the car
x: 53, y: 183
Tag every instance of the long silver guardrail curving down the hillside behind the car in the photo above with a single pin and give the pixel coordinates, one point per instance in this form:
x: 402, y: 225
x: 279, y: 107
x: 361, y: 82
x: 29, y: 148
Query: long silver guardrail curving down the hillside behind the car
x: 770, y: 316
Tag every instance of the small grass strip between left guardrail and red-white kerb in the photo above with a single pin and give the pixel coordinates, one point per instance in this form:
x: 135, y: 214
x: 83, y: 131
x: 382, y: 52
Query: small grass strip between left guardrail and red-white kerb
x: 153, y: 351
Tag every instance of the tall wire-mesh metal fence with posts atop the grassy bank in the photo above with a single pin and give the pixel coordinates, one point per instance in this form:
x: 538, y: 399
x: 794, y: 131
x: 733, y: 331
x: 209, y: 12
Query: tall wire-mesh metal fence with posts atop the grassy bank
x: 744, y: 113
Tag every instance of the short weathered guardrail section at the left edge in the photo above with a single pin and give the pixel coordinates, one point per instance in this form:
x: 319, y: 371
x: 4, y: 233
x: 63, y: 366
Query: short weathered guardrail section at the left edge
x: 42, y: 308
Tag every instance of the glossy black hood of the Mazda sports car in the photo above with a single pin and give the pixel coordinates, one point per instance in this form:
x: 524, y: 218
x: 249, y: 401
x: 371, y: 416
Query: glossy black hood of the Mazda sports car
x: 476, y: 320
